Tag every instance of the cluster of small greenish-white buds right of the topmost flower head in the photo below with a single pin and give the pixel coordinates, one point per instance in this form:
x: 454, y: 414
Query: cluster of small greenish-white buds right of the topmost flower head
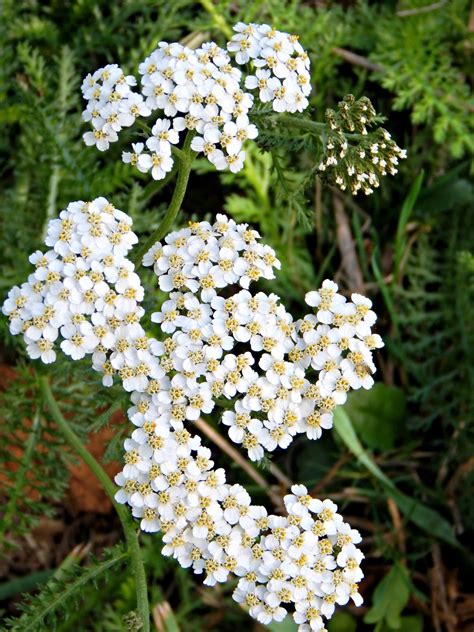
x: 354, y: 157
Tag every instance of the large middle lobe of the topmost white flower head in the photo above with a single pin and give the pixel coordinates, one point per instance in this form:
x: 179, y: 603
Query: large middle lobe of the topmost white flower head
x: 201, y: 91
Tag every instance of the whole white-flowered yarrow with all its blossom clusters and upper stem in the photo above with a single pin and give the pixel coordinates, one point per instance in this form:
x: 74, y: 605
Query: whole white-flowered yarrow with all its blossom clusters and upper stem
x: 223, y: 347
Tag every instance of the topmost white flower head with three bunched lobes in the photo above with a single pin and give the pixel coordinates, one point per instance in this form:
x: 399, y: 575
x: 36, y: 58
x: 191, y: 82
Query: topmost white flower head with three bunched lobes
x: 197, y: 90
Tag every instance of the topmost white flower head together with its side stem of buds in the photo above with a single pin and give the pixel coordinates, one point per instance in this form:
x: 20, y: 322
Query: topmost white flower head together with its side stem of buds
x: 199, y: 91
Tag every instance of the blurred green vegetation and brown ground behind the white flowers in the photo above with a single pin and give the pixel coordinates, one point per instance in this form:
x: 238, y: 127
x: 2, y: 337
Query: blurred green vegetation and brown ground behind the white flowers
x: 405, y: 479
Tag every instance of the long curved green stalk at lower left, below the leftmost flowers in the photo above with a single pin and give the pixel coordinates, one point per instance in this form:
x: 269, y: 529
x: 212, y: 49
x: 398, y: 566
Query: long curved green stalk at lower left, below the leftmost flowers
x: 131, y: 535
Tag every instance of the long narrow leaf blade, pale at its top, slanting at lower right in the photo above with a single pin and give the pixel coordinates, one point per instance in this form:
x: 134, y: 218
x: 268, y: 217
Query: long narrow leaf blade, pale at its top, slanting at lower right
x: 427, y: 519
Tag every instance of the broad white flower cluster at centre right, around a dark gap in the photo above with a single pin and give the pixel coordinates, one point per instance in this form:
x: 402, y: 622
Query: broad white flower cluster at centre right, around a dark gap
x: 275, y: 396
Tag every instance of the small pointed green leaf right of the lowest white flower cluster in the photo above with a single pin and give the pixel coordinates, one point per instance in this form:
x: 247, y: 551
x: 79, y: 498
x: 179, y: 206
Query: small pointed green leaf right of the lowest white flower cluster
x: 390, y: 598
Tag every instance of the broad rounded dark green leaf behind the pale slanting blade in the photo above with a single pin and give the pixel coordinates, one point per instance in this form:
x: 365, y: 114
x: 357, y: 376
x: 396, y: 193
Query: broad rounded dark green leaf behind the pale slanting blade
x: 377, y: 415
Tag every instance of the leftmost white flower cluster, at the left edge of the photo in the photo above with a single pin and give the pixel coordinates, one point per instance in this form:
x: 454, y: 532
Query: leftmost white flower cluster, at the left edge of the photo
x: 85, y: 291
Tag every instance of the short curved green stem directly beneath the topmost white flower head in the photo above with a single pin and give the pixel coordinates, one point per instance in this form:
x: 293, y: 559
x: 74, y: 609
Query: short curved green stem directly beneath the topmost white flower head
x: 185, y: 162
